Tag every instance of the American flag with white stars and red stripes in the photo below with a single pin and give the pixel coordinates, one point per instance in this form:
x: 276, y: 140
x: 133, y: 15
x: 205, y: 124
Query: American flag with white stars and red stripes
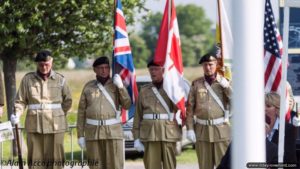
x: 273, y: 54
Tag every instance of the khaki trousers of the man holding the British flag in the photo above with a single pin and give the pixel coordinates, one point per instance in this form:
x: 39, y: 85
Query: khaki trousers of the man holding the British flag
x: 105, y: 154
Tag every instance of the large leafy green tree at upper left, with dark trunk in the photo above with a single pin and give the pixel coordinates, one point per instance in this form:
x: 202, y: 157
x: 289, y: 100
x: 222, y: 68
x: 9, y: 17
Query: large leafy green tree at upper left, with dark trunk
x: 67, y: 27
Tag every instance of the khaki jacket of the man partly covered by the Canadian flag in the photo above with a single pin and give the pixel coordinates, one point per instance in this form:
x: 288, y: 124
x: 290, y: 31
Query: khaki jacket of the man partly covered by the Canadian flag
x: 154, y: 130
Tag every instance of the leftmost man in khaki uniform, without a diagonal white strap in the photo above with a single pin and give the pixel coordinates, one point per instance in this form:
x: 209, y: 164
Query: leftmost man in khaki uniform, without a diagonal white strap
x: 46, y: 95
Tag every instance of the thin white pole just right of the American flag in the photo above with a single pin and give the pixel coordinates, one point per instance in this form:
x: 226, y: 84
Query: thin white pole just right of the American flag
x: 283, y: 83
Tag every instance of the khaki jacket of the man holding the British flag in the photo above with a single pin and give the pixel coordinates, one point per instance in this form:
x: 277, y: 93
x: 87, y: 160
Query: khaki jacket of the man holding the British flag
x: 94, y: 105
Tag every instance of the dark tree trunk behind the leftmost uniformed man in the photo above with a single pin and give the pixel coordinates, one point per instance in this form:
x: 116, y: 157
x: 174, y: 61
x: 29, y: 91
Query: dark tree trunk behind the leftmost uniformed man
x: 9, y: 71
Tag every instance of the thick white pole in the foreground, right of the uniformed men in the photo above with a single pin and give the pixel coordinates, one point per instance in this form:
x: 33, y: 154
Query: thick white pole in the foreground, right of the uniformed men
x: 248, y: 83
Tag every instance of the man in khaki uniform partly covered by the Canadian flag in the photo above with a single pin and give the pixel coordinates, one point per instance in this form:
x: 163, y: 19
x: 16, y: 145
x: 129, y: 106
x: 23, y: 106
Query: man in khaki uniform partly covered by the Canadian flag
x: 155, y: 128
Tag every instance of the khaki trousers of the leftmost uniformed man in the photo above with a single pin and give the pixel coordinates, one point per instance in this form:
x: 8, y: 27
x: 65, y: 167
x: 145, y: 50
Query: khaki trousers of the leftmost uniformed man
x: 45, y: 150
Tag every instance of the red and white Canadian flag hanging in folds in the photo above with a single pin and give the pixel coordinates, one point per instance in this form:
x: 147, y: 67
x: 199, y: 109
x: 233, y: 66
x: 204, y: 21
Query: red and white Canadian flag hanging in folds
x: 168, y: 54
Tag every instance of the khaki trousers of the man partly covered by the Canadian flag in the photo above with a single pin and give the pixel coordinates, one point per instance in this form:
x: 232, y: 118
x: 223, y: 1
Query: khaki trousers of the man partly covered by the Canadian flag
x: 160, y: 154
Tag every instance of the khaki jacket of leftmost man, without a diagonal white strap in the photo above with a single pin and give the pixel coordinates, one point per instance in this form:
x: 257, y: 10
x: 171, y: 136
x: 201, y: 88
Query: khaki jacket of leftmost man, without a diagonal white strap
x: 34, y: 90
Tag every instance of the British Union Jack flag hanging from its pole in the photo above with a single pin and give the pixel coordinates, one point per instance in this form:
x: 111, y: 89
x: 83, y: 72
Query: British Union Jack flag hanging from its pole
x: 122, y: 59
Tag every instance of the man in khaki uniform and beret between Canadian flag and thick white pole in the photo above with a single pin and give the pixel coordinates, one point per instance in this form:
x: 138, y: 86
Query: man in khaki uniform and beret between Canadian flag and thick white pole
x: 207, y: 118
